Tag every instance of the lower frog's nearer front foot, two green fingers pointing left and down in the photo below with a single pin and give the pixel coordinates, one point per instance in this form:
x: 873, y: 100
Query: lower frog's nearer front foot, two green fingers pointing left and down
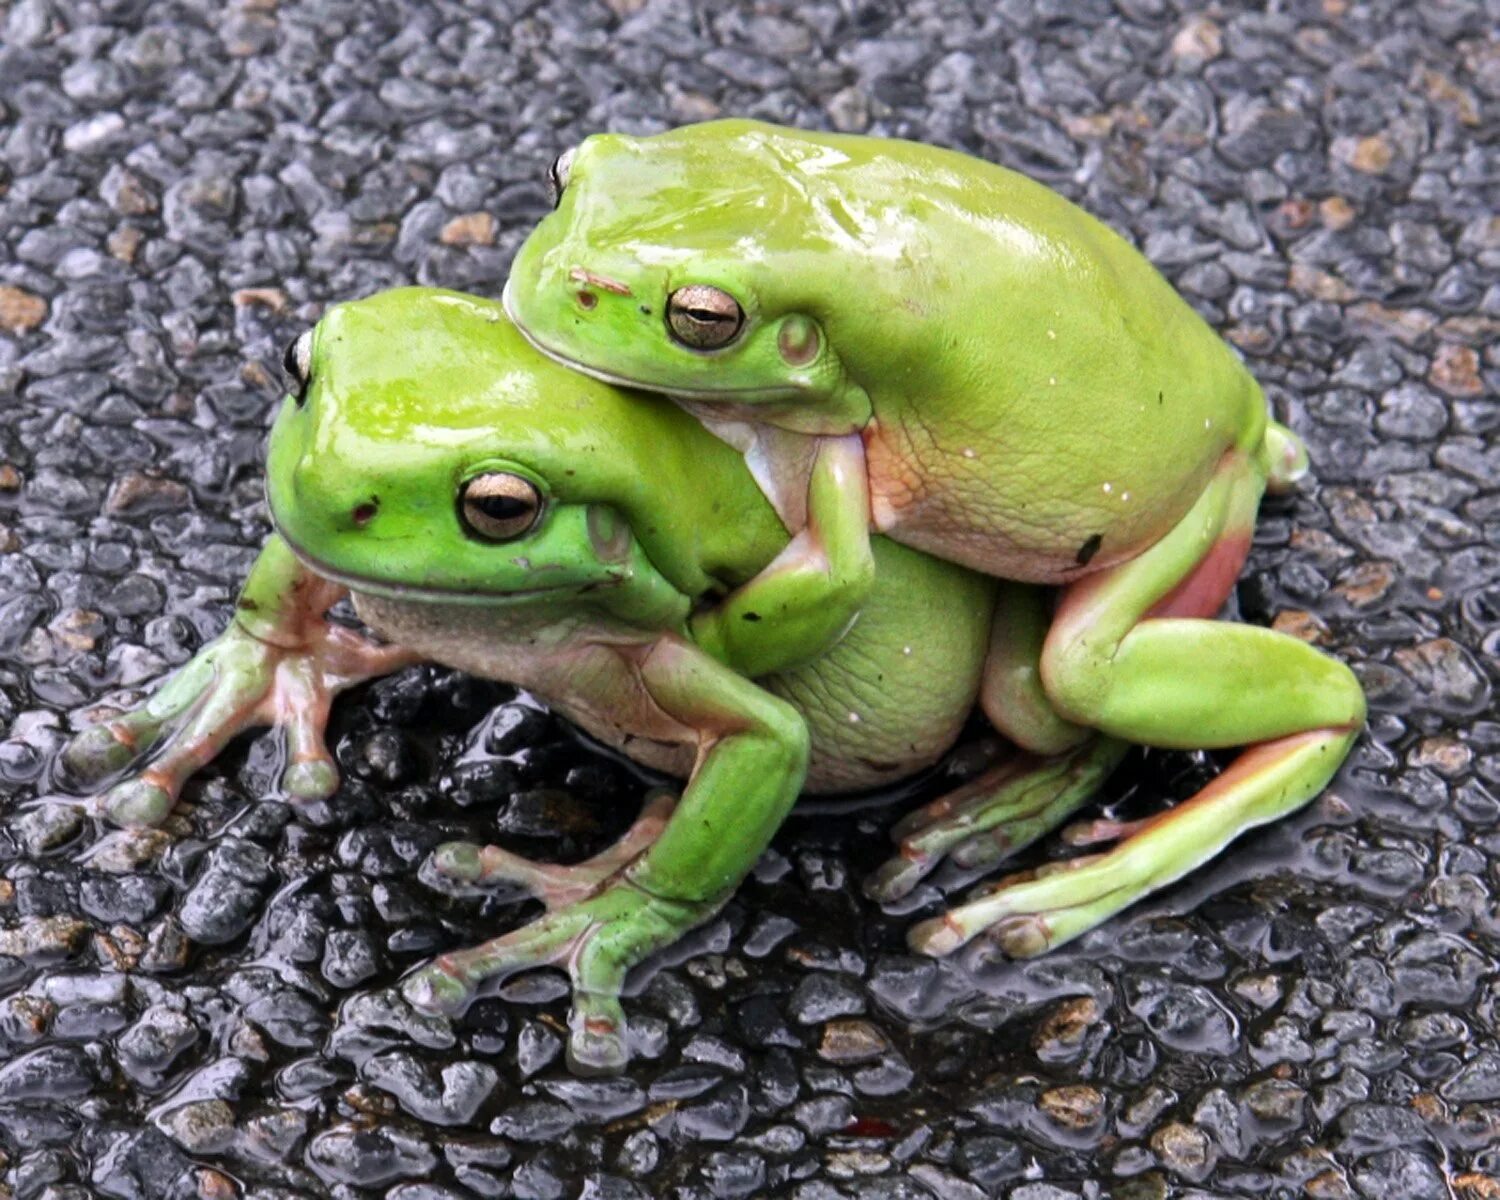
x: 596, y: 941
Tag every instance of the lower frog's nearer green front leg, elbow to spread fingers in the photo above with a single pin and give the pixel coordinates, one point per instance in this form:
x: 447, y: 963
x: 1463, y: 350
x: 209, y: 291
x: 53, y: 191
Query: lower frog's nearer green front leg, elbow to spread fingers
x: 752, y: 757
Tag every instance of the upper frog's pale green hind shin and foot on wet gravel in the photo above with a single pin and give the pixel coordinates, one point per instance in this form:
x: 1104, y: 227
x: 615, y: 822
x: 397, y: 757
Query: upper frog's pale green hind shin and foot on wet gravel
x: 1030, y: 914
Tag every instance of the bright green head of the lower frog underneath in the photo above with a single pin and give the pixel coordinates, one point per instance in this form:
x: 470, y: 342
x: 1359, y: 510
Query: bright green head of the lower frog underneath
x: 428, y: 452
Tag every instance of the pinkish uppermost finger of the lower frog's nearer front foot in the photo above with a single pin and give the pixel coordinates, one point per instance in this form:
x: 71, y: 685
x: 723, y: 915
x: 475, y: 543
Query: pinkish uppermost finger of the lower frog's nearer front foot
x: 467, y: 866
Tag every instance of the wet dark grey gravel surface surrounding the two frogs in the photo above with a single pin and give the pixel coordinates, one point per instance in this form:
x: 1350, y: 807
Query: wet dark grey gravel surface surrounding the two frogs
x: 184, y: 188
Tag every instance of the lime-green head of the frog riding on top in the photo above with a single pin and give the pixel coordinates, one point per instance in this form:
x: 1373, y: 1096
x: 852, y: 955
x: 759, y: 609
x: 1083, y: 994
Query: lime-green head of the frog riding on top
x: 686, y: 263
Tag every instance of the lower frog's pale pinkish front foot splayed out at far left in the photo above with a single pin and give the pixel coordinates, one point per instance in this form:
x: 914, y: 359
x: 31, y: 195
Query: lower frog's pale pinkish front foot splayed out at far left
x: 278, y: 664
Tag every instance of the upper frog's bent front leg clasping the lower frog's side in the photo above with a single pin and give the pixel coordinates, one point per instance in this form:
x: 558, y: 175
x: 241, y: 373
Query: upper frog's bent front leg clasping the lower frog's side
x: 805, y: 601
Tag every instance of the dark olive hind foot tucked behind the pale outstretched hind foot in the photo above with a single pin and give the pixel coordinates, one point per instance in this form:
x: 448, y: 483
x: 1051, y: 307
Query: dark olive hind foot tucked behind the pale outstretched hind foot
x: 1003, y: 811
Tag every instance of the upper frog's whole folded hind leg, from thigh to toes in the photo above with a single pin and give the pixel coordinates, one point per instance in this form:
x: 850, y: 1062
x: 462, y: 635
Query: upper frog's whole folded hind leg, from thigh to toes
x: 1132, y: 655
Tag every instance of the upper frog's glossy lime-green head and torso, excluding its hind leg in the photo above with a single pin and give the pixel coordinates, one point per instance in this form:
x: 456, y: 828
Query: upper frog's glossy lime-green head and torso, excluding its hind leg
x: 1015, y: 386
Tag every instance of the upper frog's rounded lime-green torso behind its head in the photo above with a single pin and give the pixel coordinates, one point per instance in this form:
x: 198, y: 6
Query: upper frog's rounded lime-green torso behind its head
x: 1045, y: 401
